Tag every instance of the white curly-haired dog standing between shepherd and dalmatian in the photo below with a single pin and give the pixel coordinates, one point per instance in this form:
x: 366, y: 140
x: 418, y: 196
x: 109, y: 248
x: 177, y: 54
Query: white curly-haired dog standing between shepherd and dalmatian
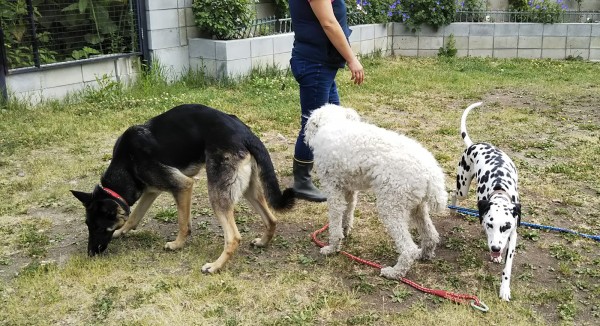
x: 351, y: 155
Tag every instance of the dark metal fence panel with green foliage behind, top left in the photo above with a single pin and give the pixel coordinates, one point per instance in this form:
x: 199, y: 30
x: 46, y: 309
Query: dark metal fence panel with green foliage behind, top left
x: 38, y: 33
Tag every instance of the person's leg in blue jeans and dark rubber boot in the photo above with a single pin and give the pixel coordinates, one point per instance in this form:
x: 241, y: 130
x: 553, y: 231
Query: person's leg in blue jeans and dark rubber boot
x: 316, y: 82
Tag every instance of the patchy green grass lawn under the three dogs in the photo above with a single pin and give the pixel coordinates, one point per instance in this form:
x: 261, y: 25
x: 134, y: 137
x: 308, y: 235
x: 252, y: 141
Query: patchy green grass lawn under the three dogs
x: 545, y: 114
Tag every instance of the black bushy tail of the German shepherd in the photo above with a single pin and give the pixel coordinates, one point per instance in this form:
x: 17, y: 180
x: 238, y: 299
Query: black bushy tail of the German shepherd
x: 277, y: 199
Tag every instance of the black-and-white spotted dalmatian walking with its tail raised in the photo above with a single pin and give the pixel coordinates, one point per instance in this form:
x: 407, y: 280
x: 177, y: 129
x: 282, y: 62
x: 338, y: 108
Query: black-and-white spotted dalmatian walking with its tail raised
x: 497, y: 197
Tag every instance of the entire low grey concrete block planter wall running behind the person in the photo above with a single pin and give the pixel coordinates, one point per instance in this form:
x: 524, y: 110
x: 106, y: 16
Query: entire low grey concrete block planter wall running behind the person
x: 498, y: 40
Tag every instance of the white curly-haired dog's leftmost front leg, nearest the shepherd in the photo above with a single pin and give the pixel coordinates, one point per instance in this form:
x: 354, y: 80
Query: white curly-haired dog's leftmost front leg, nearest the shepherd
x: 336, y: 206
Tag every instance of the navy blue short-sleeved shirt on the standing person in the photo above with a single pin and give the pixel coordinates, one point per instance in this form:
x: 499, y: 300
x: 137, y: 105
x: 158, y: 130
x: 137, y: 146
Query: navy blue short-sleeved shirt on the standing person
x: 310, y: 41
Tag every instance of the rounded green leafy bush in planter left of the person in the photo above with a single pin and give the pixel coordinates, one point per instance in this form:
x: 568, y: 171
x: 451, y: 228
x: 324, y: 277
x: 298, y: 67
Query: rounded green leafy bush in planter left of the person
x: 223, y: 19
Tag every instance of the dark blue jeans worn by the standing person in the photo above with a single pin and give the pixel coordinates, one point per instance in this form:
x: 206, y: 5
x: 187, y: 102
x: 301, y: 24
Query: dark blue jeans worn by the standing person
x: 317, y: 88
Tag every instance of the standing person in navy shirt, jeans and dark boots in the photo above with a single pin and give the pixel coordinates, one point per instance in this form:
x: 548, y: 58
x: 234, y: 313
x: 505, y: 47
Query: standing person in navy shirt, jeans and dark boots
x: 321, y: 48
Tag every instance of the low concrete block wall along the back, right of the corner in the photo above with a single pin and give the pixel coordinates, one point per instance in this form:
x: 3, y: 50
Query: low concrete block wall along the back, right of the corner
x: 502, y: 40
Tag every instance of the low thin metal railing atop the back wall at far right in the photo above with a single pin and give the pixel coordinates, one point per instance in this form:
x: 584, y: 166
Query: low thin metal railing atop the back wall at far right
x: 505, y: 16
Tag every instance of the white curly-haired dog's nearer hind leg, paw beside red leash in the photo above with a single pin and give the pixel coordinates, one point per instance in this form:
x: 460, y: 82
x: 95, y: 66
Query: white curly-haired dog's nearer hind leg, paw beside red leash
x: 398, y: 229
